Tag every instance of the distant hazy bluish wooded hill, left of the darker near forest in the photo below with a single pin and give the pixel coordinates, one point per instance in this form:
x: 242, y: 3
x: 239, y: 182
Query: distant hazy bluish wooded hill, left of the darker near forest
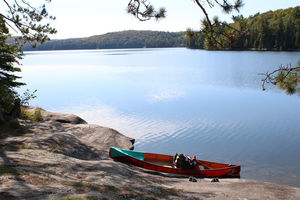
x: 123, y: 39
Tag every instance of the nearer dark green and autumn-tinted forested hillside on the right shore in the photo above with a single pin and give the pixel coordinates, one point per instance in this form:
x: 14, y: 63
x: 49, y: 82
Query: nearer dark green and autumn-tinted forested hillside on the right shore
x: 273, y: 30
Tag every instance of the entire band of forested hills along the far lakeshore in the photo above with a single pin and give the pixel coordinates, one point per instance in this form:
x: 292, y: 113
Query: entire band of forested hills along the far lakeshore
x: 273, y: 30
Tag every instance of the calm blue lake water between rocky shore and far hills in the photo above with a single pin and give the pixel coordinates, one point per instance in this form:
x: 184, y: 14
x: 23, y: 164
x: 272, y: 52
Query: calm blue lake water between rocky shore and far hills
x: 204, y: 103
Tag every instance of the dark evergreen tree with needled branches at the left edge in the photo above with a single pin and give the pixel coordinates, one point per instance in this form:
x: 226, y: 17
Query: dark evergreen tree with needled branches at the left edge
x: 21, y: 16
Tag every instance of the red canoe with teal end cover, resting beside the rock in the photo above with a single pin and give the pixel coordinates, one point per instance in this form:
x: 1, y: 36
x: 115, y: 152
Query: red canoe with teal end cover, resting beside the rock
x: 164, y: 163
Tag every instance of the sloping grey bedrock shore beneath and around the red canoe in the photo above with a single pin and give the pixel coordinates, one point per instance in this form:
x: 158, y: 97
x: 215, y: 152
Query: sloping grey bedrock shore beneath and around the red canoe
x: 62, y: 157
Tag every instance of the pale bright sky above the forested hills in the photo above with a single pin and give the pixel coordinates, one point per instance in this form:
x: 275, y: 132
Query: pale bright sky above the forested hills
x: 83, y: 18
